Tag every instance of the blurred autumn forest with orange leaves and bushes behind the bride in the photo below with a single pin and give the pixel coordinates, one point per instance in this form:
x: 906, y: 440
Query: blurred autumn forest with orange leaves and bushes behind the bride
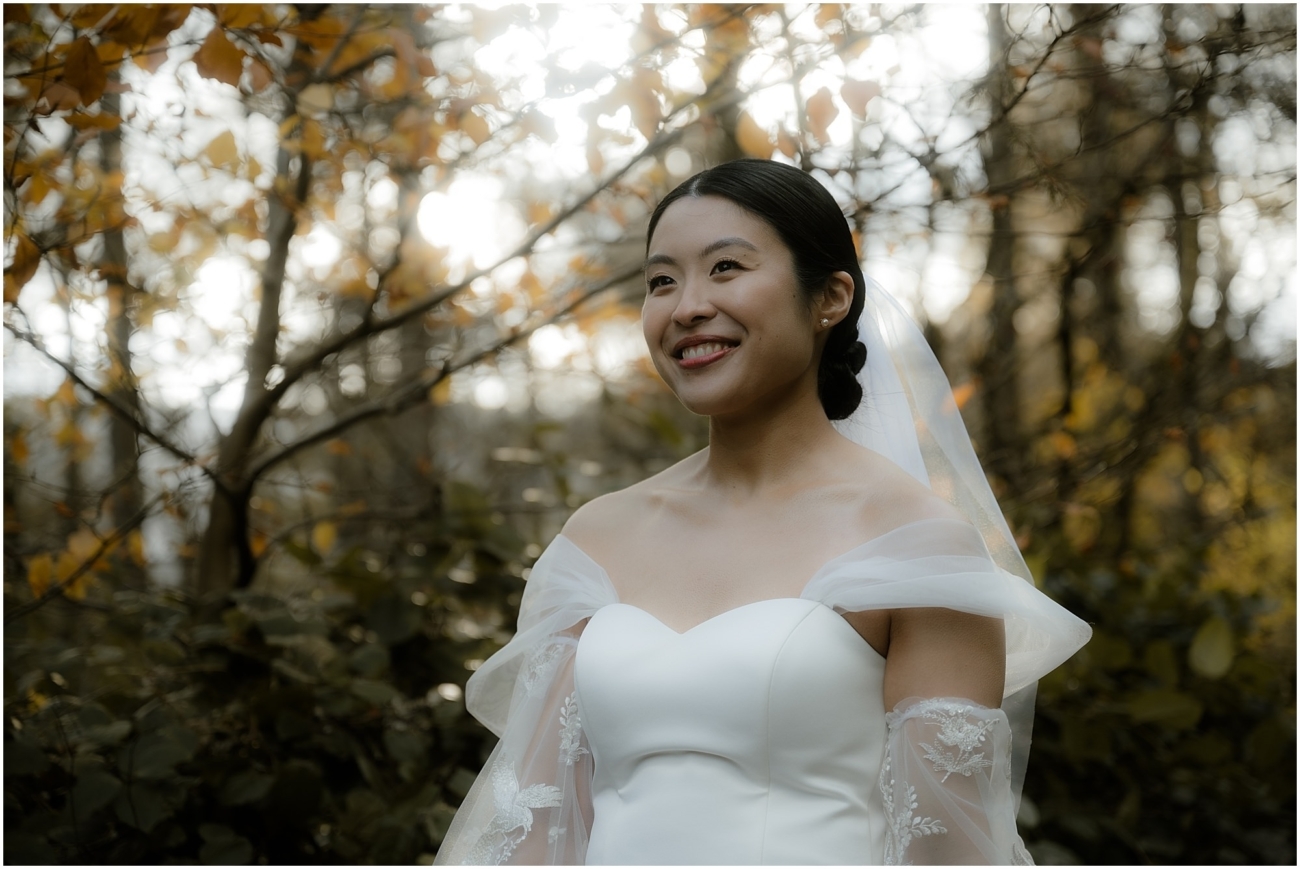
x: 320, y: 321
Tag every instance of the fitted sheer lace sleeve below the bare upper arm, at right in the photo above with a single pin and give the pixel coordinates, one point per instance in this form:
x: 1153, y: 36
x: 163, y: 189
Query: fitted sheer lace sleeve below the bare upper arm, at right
x: 947, y: 786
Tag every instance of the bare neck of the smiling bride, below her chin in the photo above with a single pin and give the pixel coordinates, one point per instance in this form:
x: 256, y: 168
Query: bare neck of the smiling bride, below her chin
x: 772, y: 448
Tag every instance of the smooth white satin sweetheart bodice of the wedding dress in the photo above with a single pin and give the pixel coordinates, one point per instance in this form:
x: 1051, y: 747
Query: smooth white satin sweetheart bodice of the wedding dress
x: 755, y: 738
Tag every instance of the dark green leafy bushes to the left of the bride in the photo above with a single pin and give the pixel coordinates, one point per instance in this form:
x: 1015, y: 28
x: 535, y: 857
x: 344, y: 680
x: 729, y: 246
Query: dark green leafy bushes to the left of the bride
x: 283, y: 728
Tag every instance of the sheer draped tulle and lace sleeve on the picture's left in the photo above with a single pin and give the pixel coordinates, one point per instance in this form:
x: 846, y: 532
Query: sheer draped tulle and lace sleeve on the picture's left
x: 531, y: 805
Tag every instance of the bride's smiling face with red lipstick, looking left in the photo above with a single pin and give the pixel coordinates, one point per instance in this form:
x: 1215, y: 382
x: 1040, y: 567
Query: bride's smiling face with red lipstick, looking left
x: 725, y: 318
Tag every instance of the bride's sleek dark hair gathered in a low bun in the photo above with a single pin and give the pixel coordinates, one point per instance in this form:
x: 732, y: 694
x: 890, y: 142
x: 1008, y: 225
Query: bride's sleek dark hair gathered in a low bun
x: 812, y: 226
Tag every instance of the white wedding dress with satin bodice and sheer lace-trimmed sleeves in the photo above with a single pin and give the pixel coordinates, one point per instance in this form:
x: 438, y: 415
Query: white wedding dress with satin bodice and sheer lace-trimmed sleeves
x: 759, y: 737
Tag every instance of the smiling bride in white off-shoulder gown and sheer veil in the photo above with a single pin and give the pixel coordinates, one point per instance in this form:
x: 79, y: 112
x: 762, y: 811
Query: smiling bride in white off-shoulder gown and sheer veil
x: 816, y: 641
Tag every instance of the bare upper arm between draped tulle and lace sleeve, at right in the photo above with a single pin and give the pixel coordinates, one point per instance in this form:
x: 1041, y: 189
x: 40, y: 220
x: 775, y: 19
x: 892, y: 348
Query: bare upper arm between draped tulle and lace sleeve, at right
x: 944, y: 654
